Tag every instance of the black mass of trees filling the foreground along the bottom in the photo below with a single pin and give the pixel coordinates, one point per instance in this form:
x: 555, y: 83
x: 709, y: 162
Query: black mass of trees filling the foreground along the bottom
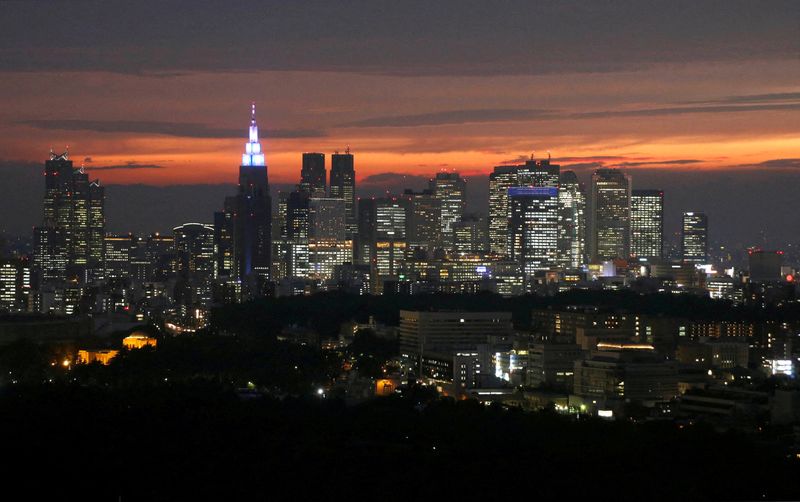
x: 198, y: 440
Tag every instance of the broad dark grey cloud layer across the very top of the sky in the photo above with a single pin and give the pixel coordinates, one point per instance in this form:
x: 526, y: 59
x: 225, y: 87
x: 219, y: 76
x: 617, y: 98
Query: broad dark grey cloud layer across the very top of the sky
x: 415, y: 37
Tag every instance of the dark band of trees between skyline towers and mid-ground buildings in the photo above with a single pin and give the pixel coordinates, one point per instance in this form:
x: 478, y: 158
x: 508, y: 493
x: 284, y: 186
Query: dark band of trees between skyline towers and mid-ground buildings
x: 324, y: 312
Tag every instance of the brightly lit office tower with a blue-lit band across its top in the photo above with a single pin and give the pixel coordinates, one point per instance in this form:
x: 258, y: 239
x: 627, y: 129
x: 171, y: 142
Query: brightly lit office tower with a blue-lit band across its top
x: 533, y: 228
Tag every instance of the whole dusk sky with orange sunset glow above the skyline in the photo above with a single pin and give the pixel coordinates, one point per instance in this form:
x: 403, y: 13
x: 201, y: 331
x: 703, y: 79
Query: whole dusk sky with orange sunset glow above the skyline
x: 699, y: 98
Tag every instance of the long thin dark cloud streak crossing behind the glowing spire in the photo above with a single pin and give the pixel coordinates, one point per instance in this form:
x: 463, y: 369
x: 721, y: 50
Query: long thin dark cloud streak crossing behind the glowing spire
x: 181, y: 129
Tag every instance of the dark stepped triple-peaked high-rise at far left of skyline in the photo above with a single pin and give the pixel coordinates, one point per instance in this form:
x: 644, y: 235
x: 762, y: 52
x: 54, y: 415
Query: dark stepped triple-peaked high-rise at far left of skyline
x: 73, y: 224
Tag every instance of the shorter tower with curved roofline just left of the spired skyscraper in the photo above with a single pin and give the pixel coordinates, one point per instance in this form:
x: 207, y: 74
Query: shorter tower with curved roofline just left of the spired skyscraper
x: 196, y: 263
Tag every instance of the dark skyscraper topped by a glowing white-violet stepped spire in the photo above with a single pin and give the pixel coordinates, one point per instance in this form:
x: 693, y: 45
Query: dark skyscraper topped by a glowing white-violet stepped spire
x: 252, y: 216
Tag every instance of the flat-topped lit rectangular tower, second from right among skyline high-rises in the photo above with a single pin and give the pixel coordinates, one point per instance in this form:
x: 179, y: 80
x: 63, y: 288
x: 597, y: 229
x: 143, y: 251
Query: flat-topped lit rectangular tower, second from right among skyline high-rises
x: 647, y: 223
